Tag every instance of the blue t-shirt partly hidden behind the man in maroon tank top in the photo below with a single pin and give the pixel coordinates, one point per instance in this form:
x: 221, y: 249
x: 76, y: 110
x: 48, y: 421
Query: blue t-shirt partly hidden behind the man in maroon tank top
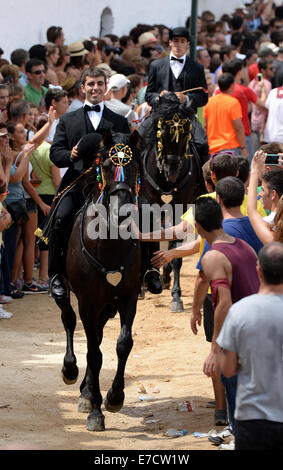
x: 238, y: 228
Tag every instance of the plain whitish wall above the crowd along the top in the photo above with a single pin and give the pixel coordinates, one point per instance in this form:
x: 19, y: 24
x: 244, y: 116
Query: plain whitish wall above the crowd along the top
x: 24, y: 23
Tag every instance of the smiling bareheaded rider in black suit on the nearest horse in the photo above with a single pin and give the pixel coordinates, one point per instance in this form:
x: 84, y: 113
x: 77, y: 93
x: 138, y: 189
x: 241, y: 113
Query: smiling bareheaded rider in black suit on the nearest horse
x: 94, y: 118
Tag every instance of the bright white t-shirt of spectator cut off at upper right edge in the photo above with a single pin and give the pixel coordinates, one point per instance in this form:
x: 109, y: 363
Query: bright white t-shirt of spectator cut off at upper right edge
x: 273, y: 131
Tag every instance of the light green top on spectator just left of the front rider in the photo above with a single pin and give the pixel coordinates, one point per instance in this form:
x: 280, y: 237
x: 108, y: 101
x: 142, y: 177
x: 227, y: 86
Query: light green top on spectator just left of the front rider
x: 42, y: 164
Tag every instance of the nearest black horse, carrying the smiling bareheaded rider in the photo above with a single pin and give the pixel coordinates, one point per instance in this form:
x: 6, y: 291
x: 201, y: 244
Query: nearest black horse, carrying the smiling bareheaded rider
x: 103, y: 268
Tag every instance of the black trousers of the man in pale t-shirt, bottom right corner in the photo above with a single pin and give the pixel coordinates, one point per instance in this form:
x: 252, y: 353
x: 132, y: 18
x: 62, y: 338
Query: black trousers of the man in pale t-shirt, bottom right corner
x: 258, y: 434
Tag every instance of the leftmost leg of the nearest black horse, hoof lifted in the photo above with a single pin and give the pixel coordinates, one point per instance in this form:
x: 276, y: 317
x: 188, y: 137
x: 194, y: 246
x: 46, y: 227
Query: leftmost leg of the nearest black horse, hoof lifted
x: 69, y: 369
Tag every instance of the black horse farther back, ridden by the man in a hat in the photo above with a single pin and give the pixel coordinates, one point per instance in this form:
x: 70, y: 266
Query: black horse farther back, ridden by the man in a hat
x: 171, y: 170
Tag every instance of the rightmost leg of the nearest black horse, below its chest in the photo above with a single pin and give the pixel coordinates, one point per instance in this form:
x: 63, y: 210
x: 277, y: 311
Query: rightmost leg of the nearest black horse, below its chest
x: 127, y: 309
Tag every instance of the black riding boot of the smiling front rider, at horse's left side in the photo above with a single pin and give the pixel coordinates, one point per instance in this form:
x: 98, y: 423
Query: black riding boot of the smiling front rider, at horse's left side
x: 58, y: 286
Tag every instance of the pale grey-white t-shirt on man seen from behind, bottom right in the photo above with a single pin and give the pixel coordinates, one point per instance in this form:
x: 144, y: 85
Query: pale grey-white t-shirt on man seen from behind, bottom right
x: 253, y: 328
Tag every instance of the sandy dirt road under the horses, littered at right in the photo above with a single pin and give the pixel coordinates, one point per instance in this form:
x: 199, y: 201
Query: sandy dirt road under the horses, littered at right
x: 38, y: 410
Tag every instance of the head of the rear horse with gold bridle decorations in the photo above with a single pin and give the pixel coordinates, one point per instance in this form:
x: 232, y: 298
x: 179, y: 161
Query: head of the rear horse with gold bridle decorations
x: 171, y: 134
